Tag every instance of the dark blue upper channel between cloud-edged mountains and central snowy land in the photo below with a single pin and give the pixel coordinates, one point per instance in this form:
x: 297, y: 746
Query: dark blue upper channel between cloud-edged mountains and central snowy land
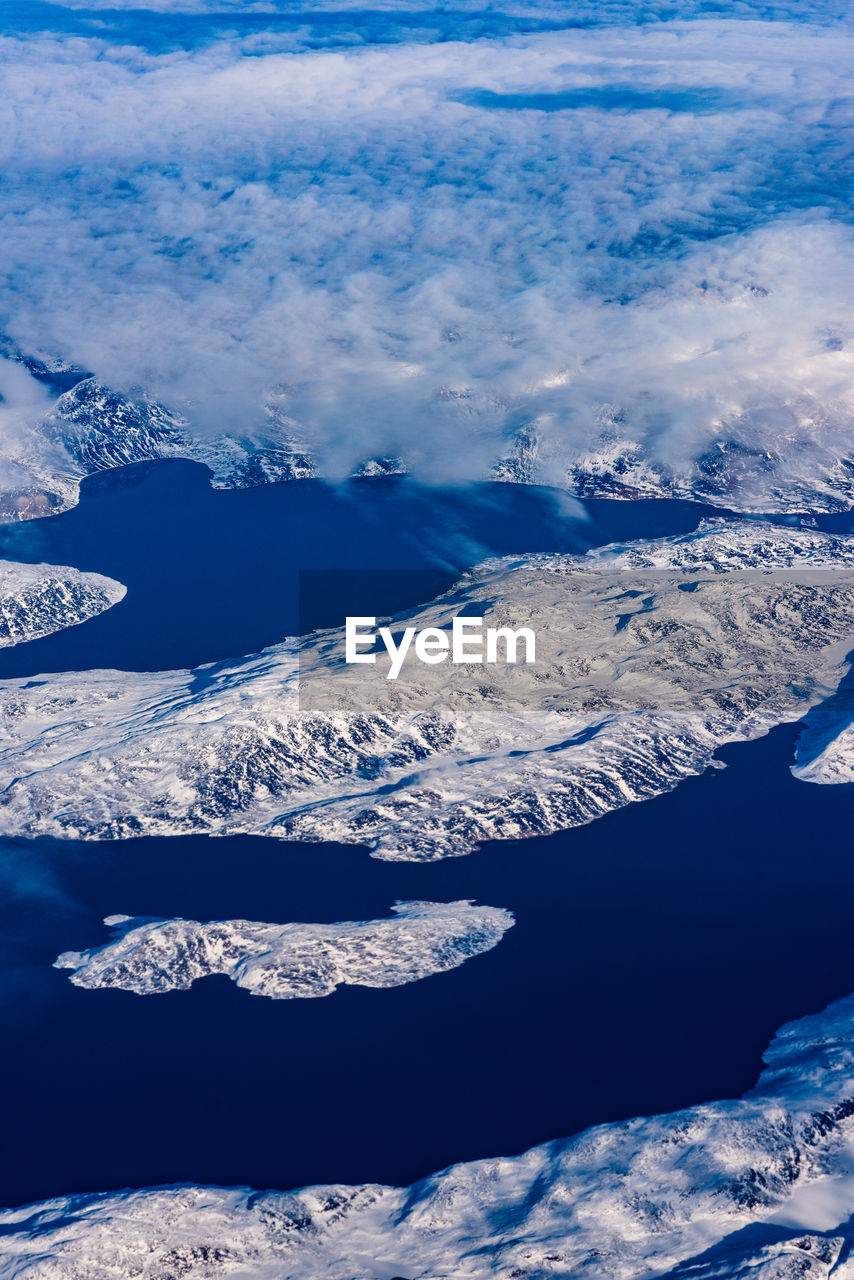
x: 214, y: 574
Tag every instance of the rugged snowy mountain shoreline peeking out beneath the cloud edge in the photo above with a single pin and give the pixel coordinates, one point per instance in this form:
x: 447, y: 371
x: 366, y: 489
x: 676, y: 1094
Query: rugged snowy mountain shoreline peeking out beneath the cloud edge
x: 92, y: 429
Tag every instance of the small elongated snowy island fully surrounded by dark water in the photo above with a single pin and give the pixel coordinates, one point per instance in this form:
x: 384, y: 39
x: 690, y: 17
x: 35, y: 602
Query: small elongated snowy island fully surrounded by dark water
x: 289, y: 962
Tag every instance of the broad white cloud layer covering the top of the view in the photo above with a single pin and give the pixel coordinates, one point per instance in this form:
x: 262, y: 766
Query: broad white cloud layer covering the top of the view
x: 422, y: 260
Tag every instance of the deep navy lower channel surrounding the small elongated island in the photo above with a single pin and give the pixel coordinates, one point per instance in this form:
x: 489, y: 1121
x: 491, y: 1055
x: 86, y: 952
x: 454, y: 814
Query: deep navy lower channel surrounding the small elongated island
x: 655, y: 954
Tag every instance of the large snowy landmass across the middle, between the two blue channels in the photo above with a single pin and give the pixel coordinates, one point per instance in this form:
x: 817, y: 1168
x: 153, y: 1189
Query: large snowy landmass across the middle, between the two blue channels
x: 650, y: 659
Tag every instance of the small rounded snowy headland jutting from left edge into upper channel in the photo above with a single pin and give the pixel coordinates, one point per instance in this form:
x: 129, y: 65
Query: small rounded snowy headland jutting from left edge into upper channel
x: 39, y: 600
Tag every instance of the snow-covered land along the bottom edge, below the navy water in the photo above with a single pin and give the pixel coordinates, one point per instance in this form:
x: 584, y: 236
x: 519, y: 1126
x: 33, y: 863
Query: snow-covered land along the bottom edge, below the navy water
x: 760, y: 1188
